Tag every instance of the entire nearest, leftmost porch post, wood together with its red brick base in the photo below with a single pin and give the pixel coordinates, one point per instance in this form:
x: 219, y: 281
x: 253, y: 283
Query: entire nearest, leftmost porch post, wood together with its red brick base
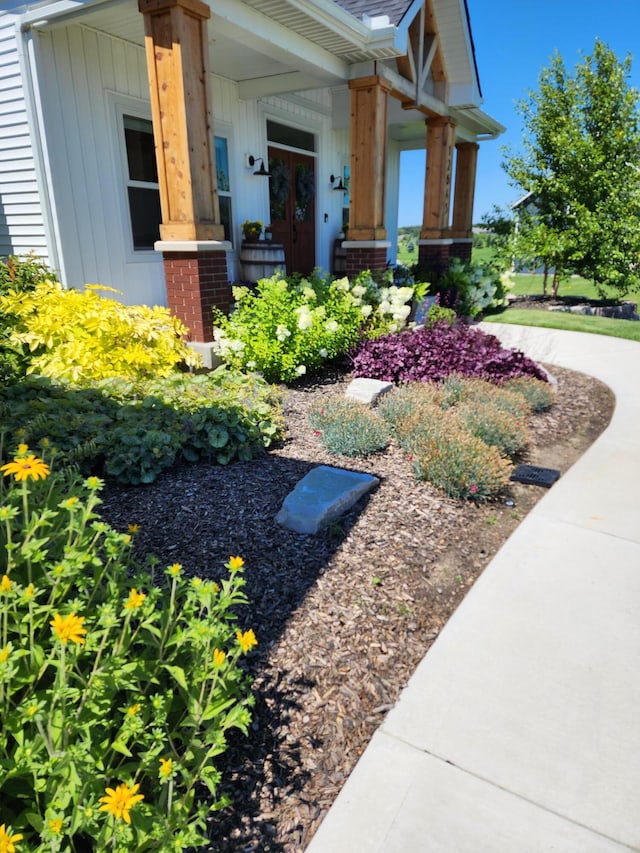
x: 191, y: 235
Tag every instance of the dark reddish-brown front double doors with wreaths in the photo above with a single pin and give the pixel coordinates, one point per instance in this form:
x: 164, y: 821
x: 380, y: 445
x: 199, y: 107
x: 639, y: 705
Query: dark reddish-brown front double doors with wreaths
x: 292, y: 193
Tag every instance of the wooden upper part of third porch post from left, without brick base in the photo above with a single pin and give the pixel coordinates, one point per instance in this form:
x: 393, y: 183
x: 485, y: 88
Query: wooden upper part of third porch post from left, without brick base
x: 440, y: 139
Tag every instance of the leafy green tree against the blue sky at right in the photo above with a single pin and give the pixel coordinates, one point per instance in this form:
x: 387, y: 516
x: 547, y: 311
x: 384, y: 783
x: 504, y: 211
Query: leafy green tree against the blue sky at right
x: 581, y: 162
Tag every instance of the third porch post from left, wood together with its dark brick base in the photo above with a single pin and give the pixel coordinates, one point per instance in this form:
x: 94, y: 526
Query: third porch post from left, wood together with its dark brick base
x: 435, y: 237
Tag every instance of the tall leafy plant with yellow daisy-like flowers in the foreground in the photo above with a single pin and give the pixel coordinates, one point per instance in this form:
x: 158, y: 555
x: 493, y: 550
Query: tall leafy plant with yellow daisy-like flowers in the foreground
x: 118, y: 684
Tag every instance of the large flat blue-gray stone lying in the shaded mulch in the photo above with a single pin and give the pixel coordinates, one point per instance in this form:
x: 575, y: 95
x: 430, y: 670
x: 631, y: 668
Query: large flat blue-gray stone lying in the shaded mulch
x: 321, y: 496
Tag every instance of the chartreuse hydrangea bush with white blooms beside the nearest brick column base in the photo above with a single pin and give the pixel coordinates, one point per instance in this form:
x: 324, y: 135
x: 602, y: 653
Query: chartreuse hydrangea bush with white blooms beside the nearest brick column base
x: 289, y: 327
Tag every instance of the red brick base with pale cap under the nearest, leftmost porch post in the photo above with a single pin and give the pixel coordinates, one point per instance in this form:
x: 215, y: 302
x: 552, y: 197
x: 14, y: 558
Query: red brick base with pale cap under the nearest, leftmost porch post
x: 196, y: 281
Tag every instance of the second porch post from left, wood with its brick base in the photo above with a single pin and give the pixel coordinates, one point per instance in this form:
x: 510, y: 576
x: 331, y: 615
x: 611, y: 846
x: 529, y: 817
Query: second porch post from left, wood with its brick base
x: 367, y: 245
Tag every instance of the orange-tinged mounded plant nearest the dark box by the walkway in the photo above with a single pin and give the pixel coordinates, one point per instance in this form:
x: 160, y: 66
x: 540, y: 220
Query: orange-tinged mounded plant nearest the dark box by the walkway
x: 458, y: 463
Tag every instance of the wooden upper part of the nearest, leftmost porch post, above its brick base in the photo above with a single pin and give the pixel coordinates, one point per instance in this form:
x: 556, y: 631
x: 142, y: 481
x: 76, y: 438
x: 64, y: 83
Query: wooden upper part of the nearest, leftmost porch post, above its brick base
x: 176, y: 50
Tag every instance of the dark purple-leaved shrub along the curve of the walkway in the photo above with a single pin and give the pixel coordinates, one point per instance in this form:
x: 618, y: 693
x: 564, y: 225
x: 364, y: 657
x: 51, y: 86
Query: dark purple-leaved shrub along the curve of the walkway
x: 429, y: 355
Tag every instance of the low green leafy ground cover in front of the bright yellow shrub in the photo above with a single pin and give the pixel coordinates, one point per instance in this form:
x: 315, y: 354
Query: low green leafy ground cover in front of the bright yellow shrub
x: 135, y: 430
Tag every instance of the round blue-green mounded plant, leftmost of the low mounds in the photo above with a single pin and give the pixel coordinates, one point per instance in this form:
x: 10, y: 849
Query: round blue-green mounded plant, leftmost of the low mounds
x: 348, y: 428
